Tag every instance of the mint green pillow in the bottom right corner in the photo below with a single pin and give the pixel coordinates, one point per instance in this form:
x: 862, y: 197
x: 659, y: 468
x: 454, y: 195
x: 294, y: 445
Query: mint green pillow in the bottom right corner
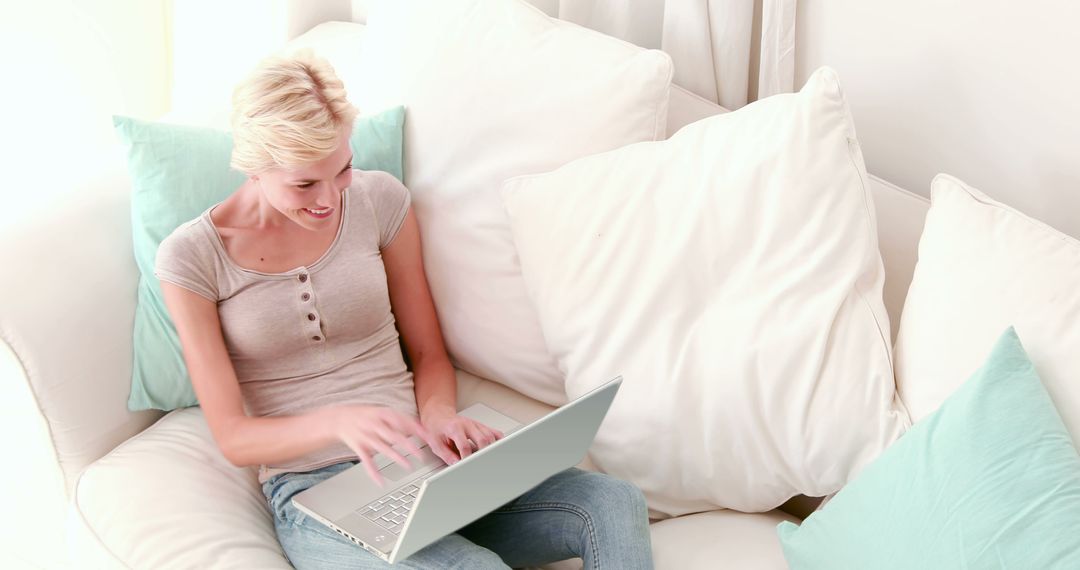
x: 992, y: 480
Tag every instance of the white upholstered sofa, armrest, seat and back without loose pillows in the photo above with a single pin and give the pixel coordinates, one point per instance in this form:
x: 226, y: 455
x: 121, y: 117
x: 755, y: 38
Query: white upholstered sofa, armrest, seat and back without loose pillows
x: 97, y: 486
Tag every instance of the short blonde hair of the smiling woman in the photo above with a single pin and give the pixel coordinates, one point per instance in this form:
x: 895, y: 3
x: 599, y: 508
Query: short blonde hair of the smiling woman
x: 289, y: 113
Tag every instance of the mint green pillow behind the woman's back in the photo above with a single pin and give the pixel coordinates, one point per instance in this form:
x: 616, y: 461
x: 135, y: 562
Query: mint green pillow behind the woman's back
x: 179, y: 172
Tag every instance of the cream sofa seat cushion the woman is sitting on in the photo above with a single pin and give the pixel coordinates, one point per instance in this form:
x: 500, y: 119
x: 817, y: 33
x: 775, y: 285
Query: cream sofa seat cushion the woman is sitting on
x: 168, y: 499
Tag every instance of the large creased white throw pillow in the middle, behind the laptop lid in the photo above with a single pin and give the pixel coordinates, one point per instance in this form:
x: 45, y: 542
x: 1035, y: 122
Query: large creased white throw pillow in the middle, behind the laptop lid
x: 732, y: 275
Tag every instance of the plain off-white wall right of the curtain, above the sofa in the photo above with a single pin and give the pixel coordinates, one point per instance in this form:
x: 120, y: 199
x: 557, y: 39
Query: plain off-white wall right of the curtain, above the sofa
x: 988, y: 91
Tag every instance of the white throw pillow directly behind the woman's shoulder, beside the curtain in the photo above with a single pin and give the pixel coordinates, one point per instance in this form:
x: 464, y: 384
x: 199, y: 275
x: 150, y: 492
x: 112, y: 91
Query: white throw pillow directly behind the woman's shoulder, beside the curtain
x: 496, y: 89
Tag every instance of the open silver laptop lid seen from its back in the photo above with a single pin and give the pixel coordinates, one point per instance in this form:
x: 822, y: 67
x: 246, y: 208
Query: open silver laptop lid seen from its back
x: 499, y: 473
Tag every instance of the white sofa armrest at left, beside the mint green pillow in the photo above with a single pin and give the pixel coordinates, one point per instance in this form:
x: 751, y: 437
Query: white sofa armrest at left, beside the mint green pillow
x: 67, y: 307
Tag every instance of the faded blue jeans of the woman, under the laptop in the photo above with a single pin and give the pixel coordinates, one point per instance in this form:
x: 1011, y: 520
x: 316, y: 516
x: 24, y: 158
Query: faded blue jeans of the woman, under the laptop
x: 573, y: 514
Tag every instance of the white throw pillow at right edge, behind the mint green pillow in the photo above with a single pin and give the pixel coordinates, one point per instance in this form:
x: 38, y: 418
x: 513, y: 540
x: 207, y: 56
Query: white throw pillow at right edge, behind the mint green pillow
x: 984, y: 267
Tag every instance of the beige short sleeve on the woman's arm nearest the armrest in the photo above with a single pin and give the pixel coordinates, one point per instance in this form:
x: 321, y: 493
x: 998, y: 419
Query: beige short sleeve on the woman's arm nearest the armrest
x: 185, y: 259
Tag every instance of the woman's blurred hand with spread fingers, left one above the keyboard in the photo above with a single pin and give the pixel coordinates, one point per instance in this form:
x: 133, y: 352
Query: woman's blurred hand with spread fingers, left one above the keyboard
x: 371, y: 429
